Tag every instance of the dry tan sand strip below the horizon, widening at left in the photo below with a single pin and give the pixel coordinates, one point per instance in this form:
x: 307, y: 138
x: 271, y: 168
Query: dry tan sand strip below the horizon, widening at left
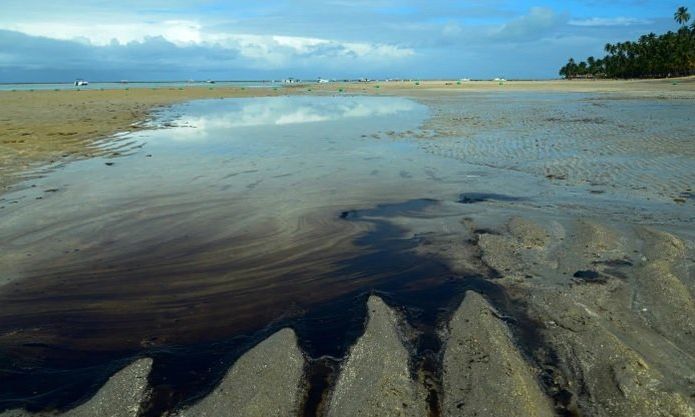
x: 42, y: 127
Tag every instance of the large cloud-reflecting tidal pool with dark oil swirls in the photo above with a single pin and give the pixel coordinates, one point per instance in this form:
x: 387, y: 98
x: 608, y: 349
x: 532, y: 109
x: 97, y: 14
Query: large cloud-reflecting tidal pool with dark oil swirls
x: 205, y: 237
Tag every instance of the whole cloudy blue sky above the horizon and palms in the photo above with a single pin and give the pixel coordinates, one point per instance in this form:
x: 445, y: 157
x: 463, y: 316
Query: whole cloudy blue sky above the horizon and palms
x: 146, y: 40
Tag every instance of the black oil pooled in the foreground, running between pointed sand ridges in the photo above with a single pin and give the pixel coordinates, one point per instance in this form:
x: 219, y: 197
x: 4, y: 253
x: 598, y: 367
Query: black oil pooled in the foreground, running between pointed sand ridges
x: 423, y: 289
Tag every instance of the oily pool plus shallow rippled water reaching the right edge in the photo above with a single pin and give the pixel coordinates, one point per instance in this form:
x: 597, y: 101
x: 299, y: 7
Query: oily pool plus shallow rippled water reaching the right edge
x: 231, y: 218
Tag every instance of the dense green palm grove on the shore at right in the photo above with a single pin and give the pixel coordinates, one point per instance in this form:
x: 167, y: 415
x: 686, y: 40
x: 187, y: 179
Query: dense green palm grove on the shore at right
x: 652, y: 56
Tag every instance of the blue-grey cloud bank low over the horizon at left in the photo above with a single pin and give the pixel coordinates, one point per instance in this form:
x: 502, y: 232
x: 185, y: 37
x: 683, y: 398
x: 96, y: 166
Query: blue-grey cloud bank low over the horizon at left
x: 30, y: 58
